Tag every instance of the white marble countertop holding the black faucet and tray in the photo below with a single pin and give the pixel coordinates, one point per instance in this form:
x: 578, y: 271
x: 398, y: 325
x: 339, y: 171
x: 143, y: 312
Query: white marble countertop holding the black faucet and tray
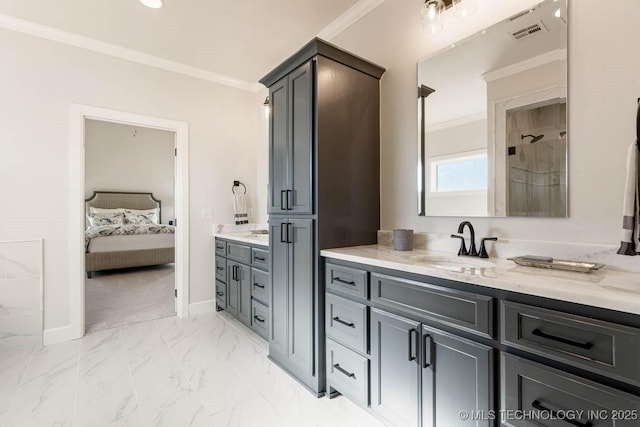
x: 608, y: 287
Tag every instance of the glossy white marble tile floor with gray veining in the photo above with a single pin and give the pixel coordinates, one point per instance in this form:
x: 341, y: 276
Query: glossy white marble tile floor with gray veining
x: 207, y: 370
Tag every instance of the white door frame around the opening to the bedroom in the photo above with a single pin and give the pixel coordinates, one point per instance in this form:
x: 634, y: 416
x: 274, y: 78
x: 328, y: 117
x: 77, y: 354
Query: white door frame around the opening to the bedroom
x: 78, y: 114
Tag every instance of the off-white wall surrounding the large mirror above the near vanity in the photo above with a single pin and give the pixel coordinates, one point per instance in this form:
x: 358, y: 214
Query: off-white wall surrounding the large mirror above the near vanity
x: 604, y: 83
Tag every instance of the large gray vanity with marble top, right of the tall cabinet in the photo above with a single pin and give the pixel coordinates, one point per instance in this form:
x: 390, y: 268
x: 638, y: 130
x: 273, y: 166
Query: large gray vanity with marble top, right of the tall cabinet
x: 428, y: 339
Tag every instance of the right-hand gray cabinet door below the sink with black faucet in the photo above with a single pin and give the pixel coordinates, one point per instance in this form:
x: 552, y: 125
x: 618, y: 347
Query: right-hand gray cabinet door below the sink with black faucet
x: 456, y: 376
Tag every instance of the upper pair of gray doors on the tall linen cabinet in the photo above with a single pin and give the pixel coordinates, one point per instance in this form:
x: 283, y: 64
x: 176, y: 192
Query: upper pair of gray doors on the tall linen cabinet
x: 291, y: 127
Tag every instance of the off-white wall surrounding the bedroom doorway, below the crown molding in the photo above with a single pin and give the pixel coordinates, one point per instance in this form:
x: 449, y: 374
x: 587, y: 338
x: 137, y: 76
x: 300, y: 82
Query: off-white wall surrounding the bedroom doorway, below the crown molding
x: 39, y: 79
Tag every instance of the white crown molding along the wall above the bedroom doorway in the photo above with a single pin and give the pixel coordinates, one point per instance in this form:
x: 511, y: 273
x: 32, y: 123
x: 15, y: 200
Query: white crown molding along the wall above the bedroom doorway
x: 71, y: 39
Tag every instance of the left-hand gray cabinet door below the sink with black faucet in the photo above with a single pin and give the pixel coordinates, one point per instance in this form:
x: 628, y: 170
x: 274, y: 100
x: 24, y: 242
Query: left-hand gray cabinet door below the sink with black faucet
x: 395, y: 368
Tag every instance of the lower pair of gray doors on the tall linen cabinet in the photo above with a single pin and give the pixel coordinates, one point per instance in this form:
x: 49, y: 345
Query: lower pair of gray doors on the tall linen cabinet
x: 291, y: 332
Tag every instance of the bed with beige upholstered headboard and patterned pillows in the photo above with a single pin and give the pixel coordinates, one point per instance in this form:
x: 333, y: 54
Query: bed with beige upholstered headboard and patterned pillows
x: 114, y: 246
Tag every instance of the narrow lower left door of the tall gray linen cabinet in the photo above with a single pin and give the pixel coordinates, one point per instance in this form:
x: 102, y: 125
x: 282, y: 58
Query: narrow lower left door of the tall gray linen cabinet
x: 278, y: 302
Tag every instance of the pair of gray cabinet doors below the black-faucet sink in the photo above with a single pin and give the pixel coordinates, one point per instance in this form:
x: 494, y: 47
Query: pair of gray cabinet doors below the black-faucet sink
x: 422, y: 376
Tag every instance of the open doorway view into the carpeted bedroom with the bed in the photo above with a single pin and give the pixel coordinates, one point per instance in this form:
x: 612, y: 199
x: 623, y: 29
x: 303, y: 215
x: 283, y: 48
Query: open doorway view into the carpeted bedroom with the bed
x: 130, y: 253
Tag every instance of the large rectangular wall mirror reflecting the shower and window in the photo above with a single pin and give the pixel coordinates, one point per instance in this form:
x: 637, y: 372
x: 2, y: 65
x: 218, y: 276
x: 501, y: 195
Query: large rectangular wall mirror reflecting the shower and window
x: 492, y: 113
